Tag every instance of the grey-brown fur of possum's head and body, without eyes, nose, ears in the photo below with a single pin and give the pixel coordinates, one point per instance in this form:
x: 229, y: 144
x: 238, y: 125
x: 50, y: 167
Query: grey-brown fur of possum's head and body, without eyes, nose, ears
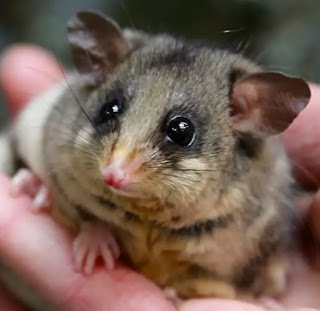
x: 200, y: 215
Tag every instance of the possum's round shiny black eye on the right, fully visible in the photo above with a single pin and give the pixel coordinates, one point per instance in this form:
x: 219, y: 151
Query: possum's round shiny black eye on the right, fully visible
x: 181, y: 131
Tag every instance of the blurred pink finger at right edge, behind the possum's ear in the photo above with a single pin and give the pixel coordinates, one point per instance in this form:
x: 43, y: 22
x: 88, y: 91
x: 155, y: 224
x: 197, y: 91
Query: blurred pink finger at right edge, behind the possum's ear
x: 302, y: 141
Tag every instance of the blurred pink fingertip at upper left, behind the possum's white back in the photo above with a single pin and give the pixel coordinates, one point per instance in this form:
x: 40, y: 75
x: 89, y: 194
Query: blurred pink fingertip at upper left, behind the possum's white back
x: 25, y: 71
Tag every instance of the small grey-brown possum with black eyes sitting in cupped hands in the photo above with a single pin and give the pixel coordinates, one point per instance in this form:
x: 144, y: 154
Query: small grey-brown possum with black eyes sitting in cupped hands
x: 207, y: 206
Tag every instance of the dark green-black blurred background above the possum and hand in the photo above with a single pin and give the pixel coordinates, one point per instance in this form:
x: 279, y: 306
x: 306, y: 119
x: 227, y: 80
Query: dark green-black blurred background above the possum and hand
x: 281, y: 34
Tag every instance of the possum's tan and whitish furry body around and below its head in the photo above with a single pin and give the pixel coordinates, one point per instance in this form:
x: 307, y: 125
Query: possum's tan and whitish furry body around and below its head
x: 41, y: 138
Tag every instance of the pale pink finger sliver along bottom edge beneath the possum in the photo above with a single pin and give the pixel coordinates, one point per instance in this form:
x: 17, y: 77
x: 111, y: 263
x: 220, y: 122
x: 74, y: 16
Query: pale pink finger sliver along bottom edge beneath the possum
x: 216, y: 304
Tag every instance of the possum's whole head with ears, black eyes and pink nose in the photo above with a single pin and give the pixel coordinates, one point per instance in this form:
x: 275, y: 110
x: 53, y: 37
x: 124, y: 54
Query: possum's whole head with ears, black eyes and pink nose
x: 167, y: 121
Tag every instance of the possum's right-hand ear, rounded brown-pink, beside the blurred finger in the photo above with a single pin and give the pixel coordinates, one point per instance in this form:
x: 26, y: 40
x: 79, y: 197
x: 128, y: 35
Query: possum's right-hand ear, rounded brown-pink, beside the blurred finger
x: 266, y: 103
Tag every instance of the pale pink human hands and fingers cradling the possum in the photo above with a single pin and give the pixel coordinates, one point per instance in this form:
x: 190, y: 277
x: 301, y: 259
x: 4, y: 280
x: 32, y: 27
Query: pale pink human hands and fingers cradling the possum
x: 24, y: 72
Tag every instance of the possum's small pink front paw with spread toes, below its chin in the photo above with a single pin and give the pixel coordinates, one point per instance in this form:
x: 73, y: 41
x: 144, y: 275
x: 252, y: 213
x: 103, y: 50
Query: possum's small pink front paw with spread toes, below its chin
x: 95, y: 240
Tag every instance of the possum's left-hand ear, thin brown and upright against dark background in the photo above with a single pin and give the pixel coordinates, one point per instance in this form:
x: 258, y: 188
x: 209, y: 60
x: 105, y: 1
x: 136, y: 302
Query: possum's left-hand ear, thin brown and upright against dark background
x: 97, y: 44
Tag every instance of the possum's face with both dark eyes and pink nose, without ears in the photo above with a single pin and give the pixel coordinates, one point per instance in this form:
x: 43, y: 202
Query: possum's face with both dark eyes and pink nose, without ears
x: 163, y: 125
